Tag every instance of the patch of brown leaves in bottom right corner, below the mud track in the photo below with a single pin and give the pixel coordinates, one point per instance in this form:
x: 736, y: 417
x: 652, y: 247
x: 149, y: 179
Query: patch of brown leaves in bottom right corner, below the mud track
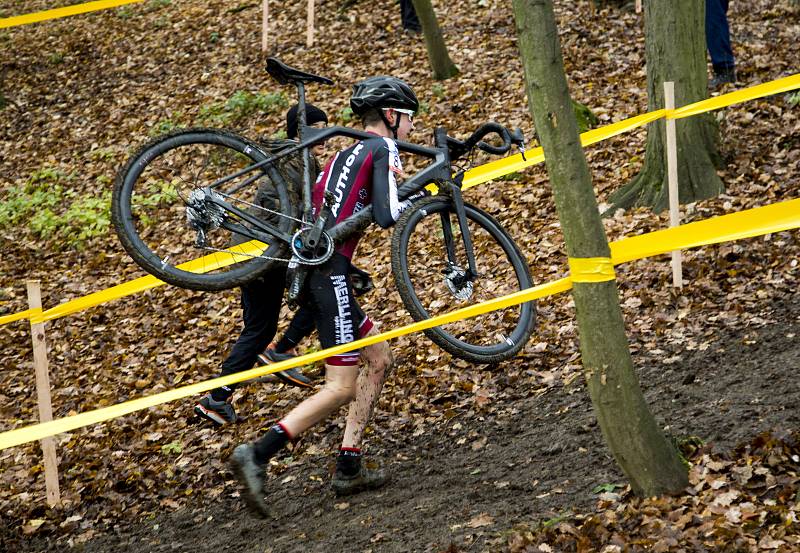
x: 718, y: 516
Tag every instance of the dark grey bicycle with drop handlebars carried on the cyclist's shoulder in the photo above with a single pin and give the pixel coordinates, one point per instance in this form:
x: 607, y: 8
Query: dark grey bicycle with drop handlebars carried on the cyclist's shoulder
x: 203, y: 181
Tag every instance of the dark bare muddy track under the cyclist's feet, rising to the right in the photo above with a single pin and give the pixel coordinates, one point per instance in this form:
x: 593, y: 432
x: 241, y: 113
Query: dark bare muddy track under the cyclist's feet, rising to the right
x: 456, y: 489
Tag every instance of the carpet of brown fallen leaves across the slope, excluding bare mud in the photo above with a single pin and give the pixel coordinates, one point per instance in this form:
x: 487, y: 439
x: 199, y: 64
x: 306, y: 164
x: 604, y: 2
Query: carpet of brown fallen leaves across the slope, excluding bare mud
x: 112, y: 94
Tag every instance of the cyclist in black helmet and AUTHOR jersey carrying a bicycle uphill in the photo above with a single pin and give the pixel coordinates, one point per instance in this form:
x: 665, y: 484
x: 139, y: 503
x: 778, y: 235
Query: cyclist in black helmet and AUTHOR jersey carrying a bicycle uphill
x: 361, y: 175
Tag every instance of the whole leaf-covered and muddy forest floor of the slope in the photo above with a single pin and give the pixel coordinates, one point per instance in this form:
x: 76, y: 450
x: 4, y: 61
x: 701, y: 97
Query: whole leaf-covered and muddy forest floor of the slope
x: 505, y: 457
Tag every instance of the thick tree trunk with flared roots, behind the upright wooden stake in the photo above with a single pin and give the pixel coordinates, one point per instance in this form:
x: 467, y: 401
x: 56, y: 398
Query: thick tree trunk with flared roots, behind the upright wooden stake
x: 675, y: 49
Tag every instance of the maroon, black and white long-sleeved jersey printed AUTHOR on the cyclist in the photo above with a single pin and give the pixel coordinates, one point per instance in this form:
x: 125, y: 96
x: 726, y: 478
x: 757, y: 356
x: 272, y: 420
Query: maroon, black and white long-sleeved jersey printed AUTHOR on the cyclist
x: 361, y: 175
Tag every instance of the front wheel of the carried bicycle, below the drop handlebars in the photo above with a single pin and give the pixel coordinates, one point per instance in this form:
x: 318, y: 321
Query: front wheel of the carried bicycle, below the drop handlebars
x: 431, y: 273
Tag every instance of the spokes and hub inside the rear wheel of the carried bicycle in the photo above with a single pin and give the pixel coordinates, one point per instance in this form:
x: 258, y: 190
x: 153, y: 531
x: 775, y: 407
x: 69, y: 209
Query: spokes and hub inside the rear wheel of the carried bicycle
x: 170, y: 215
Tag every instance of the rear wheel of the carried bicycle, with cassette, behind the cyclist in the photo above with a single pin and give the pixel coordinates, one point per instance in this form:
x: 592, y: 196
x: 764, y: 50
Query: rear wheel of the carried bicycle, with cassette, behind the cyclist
x: 188, y: 246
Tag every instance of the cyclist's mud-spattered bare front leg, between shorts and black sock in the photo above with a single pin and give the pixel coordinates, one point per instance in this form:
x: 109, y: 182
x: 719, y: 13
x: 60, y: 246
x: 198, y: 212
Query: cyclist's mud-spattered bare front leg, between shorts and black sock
x: 377, y: 364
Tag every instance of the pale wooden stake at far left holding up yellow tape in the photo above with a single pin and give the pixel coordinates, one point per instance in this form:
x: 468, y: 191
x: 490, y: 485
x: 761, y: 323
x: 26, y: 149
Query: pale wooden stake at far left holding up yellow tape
x: 43, y: 395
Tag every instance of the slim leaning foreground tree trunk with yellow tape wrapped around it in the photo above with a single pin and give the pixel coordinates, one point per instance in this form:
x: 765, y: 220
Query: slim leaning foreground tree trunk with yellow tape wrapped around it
x: 649, y: 461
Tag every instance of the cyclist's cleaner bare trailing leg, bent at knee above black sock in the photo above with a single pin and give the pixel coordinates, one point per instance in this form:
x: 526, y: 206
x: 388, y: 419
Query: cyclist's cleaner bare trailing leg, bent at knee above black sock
x: 339, y: 389
